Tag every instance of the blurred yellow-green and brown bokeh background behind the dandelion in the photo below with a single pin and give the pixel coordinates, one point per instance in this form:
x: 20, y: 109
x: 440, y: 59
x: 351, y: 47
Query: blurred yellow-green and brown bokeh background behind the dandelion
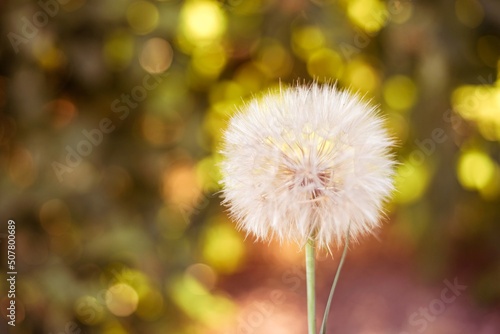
x: 111, y: 118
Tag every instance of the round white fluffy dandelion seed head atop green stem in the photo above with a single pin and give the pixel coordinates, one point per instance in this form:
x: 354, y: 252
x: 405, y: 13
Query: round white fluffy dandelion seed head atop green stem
x: 304, y: 162
